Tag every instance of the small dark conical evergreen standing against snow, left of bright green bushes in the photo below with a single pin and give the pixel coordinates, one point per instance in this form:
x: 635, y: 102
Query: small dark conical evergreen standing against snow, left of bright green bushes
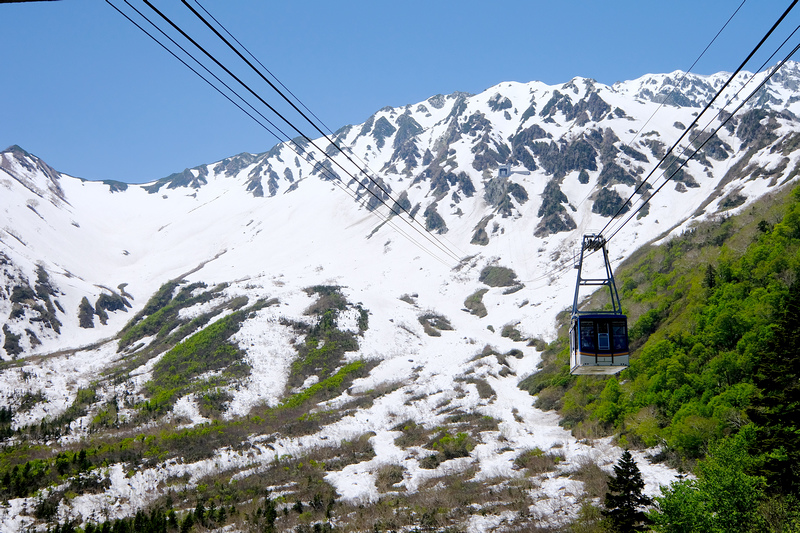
x: 624, y: 497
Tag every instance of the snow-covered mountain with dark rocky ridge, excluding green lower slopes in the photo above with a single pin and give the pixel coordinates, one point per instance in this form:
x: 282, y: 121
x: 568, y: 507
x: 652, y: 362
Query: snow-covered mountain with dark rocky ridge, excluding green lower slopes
x: 511, y: 178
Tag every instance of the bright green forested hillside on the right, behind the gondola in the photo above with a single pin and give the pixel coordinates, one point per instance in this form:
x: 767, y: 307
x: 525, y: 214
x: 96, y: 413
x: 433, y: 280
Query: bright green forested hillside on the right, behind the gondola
x: 713, y: 378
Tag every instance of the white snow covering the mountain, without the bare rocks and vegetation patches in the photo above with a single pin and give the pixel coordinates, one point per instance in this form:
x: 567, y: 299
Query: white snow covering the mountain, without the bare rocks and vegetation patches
x: 275, y: 247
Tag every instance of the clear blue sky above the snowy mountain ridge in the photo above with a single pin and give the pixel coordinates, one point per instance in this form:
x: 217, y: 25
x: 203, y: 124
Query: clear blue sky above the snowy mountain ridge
x: 88, y: 92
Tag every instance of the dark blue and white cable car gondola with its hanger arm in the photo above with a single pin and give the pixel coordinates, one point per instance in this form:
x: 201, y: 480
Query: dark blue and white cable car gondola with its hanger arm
x: 598, y: 339
